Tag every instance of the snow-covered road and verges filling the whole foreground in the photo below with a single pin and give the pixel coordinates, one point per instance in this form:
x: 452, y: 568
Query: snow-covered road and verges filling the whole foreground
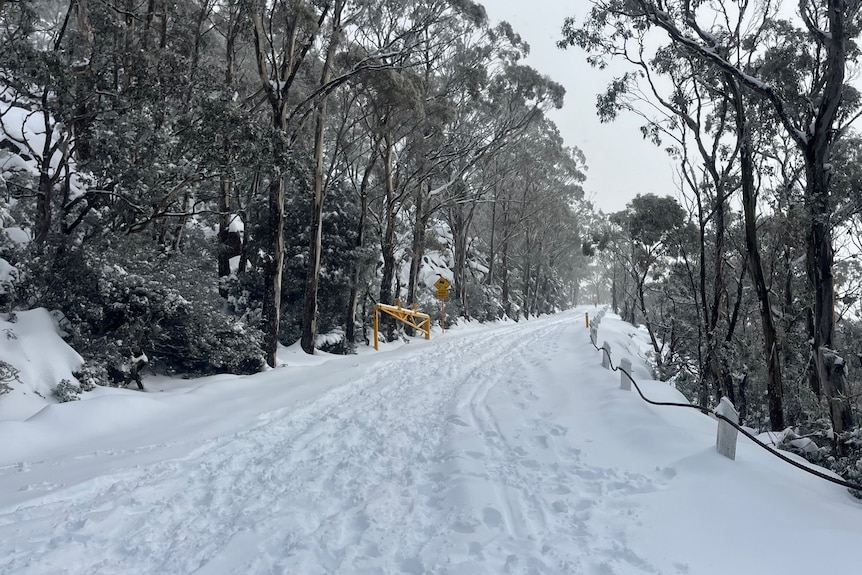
x: 505, y: 449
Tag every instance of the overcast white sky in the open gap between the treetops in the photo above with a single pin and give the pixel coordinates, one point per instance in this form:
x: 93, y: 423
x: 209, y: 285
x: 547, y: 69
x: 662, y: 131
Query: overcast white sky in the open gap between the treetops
x: 621, y: 164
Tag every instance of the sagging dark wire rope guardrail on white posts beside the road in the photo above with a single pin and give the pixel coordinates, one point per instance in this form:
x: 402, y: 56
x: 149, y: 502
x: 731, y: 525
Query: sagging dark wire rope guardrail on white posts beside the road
x: 724, y: 412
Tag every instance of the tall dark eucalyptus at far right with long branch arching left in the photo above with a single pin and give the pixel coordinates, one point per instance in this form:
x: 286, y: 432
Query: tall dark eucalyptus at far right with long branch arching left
x: 810, y: 108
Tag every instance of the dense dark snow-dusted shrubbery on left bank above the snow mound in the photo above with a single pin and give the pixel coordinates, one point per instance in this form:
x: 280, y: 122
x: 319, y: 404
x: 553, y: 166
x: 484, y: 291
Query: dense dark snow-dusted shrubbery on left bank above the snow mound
x: 127, y: 298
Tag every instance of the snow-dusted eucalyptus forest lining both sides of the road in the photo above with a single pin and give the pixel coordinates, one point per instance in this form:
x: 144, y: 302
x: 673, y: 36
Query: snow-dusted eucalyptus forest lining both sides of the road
x: 188, y: 185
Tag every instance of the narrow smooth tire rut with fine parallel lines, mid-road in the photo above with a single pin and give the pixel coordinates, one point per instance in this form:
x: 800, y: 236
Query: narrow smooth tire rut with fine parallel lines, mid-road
x: 506, y: 530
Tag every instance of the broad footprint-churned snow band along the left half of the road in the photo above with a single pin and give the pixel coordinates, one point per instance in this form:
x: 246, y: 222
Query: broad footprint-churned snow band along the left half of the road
x: 319, y: 485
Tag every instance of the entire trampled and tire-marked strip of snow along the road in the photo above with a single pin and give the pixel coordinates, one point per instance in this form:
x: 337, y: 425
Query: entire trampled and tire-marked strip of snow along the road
x: 450, y: 472
